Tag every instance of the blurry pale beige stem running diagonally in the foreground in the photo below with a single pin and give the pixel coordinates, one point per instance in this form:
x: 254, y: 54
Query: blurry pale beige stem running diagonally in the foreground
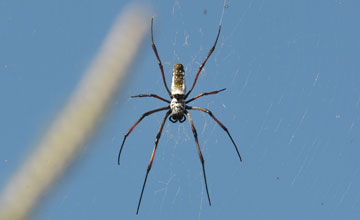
x: 78, y: 119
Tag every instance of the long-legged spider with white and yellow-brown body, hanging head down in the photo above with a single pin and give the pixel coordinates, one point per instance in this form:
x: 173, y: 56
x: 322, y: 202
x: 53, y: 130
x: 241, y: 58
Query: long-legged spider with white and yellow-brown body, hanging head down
x: 177, y: 109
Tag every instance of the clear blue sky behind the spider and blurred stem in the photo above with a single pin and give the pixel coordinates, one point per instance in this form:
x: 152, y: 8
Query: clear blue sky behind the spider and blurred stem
x: 292, y: 104
